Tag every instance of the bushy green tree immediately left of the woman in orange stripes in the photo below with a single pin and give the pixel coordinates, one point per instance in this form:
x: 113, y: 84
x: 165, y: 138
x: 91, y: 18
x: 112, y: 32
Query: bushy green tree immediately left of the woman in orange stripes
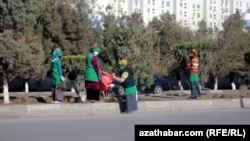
x: 168, y: 34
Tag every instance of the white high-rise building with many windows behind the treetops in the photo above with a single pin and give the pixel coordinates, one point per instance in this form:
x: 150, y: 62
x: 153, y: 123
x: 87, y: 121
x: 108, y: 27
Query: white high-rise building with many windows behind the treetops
x: 188, y: 12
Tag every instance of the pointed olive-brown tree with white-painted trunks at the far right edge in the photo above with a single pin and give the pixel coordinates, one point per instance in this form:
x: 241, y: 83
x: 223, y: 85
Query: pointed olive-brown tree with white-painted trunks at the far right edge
x: 232, y: 43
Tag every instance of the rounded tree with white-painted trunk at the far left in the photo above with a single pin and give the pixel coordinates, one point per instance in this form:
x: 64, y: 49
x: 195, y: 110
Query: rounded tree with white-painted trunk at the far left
x: 21, y: 56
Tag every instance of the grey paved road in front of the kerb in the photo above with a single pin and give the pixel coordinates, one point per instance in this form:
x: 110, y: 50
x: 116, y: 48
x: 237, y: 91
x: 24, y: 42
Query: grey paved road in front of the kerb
x: 109, y: 127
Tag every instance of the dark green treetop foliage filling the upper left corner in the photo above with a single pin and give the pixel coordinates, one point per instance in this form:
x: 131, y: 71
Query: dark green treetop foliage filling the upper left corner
x: 18, y: 15
